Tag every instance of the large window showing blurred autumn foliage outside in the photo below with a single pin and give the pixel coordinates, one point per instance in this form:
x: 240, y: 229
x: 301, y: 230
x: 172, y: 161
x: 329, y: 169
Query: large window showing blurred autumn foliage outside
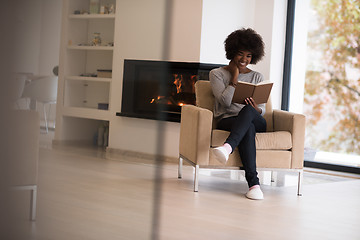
x: 325, y: 80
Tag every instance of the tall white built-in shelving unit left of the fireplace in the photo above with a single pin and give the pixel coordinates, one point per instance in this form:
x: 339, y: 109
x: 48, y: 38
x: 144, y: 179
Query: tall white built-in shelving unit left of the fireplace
x: 81, y: 94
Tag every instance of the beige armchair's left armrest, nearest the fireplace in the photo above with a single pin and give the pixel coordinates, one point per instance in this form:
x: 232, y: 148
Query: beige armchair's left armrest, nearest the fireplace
x: 195, y: 134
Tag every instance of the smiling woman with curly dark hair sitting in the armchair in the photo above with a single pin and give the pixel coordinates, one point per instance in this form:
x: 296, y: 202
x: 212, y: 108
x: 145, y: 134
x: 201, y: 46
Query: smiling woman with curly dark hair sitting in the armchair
x: 243, y: 47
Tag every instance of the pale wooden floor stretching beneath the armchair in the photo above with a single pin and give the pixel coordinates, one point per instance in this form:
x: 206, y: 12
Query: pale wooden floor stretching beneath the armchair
x: 85, y: 194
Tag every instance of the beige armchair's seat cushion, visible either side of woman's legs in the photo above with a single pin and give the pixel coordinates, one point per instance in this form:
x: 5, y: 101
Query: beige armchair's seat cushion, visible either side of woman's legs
x: 280, y: 140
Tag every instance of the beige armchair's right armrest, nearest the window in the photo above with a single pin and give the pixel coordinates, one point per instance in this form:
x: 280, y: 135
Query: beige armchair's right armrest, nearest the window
x: 295, y: 124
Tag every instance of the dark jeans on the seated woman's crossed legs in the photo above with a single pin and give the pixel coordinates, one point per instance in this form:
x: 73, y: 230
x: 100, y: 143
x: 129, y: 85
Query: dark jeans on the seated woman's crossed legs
x: 243, y: 128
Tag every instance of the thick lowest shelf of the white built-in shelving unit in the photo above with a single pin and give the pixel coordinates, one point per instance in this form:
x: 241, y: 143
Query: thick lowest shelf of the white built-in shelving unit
x: 89, y: 113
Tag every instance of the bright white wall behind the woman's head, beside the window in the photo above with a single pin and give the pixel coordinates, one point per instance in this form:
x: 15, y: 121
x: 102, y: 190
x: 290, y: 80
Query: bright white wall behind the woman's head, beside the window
x: 267, y: 17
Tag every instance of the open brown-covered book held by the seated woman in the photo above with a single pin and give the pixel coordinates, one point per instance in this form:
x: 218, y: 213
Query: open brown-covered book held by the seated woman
x: 259, y: 92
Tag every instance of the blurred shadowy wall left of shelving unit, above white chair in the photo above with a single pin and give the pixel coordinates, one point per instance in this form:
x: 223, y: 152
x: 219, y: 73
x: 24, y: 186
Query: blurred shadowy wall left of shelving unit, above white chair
x: 37, y: 36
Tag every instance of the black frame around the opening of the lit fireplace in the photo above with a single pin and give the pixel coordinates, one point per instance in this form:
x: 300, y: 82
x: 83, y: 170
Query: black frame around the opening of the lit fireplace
x: 130, y: 81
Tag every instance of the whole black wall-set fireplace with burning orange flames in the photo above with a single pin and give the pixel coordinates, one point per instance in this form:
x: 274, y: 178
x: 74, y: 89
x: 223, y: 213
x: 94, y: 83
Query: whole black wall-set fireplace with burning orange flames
x: 158, y: 89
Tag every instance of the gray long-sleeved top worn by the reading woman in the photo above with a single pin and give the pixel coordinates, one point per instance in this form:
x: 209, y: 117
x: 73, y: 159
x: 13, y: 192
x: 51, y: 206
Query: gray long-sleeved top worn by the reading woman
x: 223, y: 92
